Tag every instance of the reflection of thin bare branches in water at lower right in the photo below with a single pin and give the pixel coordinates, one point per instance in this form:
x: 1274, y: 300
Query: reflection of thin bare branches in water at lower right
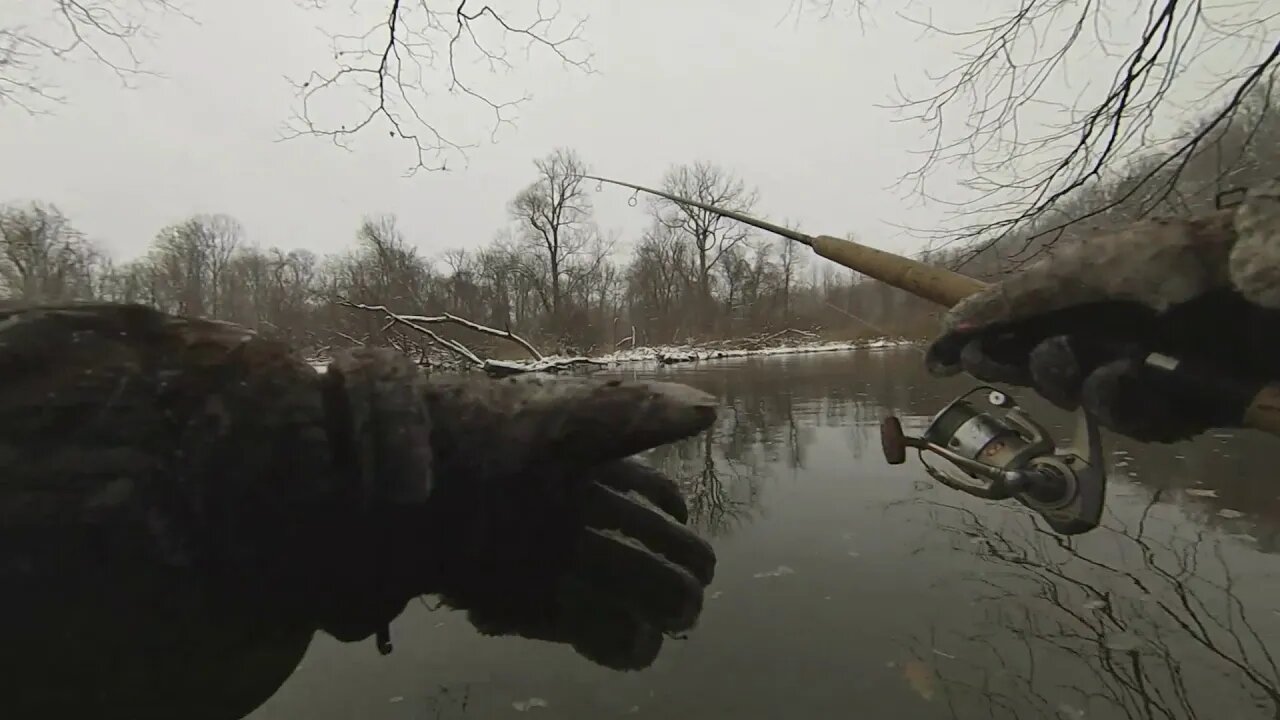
x: 1142, y: 619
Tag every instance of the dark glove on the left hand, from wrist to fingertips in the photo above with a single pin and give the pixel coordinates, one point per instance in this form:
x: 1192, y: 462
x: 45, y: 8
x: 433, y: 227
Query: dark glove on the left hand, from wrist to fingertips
x: 534, y: 520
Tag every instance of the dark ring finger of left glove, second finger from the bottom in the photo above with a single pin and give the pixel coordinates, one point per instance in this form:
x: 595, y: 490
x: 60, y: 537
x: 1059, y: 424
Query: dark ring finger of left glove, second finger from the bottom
x: 634, y: 577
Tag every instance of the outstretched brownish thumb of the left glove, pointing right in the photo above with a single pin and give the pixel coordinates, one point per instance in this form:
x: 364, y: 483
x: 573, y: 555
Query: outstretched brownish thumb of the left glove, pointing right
x: 570, y: 421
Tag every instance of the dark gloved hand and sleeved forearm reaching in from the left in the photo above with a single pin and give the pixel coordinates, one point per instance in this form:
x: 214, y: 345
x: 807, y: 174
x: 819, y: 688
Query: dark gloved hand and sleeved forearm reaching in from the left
x: 184, y: 504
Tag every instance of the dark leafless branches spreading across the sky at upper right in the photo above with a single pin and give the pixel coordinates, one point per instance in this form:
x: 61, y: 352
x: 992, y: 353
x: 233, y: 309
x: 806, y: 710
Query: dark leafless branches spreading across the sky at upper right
x: 1021, y: 181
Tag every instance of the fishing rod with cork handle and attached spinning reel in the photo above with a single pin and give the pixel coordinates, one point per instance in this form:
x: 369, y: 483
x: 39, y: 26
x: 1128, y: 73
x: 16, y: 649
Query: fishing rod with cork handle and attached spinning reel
x: 996, y: 452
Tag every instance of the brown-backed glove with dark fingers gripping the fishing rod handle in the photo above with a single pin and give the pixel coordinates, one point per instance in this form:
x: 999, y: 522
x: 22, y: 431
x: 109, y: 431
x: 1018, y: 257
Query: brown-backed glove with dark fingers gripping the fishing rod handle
x: 1078, y: 326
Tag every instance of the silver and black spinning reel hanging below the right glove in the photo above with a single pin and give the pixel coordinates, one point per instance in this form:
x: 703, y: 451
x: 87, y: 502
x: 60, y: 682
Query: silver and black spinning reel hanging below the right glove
x: 999, y: 453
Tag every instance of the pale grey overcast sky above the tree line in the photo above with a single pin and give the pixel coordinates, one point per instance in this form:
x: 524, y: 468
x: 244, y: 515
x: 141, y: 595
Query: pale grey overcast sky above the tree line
x: 792, y: 107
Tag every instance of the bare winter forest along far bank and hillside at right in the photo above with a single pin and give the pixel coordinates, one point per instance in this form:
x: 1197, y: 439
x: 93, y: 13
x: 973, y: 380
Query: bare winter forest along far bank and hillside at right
x: 555, y: 277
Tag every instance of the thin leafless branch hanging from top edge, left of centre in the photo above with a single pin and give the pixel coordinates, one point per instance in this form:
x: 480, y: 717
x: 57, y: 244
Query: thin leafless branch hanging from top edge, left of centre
x: 388, y: 67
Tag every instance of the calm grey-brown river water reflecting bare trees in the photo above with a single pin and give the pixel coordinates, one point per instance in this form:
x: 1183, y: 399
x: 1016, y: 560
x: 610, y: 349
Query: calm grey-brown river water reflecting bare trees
x: 852, y: 589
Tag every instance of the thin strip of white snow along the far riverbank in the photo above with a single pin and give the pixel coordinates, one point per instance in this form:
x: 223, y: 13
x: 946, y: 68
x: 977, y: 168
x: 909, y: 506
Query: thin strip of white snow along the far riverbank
x: 669, y: 356
